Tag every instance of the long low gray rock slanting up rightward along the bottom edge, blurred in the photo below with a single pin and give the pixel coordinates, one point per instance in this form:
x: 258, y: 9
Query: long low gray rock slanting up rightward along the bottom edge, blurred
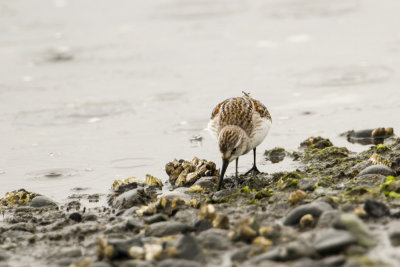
x: 291, y: 251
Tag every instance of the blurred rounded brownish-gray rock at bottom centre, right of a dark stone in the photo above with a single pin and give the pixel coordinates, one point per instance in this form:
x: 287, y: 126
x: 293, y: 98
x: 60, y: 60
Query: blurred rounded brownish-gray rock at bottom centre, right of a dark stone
x: 214, y: 239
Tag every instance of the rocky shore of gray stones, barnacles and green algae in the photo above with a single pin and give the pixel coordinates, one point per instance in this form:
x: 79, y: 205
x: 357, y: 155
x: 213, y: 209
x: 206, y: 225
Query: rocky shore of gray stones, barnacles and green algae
x: 338, y: 208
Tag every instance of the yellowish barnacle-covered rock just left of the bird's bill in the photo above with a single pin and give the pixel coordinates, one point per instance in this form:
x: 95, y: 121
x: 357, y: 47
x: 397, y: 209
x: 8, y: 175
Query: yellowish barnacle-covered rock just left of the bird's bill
x: 186, y: 173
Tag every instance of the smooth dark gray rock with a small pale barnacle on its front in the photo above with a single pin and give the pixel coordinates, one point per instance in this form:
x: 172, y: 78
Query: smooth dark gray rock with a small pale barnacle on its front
x: 315, y: 209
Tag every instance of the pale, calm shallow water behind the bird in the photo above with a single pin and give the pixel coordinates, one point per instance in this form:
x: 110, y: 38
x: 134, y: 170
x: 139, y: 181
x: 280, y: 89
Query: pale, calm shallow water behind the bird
x: 92, y: 91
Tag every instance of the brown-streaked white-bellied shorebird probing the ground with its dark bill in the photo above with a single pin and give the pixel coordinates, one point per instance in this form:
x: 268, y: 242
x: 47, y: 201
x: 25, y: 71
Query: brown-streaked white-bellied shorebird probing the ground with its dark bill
x: 240, y: 124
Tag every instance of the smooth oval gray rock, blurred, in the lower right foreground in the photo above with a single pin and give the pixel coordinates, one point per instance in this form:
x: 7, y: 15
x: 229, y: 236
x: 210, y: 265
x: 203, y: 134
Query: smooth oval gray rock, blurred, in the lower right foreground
x: 331, y: 241
